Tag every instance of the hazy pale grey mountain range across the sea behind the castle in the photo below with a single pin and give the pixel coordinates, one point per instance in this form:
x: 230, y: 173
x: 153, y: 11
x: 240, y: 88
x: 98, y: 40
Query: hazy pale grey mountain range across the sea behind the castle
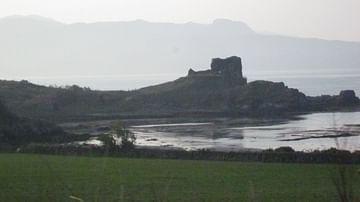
x: 36, y: 46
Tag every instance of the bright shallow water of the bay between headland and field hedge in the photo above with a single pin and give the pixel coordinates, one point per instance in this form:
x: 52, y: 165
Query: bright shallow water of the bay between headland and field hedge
x: 306, y: 134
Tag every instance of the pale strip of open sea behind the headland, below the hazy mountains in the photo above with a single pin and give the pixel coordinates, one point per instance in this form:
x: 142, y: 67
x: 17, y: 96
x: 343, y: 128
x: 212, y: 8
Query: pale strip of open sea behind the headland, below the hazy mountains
x: 310, y: 84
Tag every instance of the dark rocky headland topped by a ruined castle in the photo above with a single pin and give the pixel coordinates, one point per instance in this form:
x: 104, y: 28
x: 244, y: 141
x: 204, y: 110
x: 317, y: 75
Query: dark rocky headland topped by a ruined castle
x: 220, y: 91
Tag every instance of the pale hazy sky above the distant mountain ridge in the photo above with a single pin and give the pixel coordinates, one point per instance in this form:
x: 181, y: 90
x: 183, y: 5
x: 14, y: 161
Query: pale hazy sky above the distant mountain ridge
x: 327, y: 19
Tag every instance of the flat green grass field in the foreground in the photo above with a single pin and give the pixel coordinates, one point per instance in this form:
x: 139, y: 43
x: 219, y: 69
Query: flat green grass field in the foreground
x: 63, y: 178
